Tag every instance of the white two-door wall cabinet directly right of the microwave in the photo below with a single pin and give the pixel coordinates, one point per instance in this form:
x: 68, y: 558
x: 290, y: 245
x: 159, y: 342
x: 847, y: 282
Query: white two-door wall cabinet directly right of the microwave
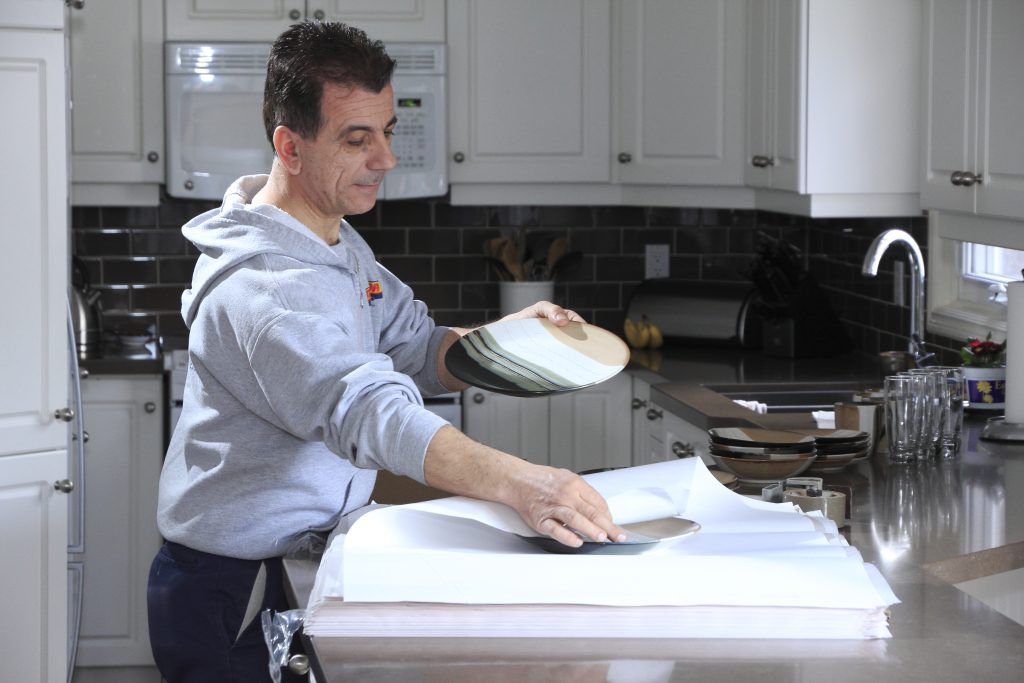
x: 646, y: 93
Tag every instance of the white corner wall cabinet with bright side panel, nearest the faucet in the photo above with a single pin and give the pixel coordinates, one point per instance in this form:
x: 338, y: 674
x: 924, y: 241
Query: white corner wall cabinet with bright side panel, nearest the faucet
x: 833, y: 106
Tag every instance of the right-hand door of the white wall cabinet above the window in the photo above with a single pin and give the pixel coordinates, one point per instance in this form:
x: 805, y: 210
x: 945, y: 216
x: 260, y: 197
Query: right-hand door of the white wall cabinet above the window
x: 1001, y: 104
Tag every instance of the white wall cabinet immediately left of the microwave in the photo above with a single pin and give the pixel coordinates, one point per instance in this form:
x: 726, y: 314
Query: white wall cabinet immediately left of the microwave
x: 117, y: 91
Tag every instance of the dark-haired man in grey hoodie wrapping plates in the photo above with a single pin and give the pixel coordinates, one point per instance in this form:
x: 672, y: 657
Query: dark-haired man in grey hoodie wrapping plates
x: 308, y: 361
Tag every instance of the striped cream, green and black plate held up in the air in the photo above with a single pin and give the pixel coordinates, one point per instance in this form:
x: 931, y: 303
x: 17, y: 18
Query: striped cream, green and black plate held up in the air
x: 536, y: 358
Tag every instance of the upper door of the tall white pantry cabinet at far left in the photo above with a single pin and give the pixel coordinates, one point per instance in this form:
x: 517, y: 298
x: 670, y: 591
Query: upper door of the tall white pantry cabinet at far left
x: 33, y: 242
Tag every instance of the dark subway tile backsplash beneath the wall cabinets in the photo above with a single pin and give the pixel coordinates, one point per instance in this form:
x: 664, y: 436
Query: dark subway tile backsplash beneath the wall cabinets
x: 141, y: 263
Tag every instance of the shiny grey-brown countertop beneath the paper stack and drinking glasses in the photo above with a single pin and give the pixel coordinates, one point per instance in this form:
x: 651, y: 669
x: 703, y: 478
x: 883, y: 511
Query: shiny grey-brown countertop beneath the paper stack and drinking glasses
x: 923, y: 526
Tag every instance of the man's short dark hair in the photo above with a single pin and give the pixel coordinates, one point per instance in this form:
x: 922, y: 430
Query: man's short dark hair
x: 307, y: 57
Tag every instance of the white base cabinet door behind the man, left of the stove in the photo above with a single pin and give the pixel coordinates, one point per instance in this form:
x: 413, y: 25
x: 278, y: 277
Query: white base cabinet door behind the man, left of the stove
x: 123, y: 458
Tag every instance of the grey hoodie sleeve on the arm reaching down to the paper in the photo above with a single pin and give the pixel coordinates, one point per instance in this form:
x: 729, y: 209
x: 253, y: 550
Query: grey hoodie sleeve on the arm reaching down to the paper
x: 319, y: 388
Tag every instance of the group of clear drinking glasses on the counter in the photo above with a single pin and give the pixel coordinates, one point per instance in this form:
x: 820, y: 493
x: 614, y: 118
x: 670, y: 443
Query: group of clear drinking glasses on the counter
x: 924, y: 414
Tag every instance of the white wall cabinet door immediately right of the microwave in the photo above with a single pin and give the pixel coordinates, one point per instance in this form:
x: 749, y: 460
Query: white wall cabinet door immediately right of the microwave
x: 530, y: 91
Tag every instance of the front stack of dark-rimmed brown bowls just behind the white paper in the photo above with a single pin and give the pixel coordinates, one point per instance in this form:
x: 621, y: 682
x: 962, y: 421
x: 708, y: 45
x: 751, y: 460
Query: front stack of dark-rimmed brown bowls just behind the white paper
x: 761, y: 456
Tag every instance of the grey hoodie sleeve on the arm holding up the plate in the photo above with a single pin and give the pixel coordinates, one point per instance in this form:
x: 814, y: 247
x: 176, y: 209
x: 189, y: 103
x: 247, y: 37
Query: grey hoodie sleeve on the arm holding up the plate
x: 411, y: 338
